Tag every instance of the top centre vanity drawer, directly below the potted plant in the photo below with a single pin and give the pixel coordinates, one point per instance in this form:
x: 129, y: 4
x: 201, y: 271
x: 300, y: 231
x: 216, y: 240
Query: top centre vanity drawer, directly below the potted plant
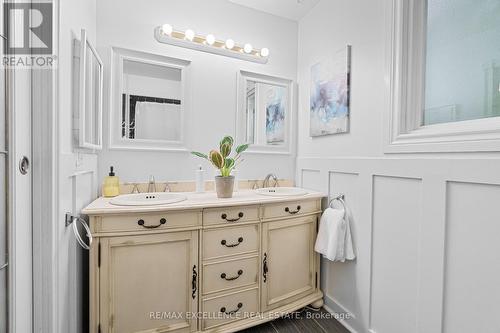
x: 230, y: 215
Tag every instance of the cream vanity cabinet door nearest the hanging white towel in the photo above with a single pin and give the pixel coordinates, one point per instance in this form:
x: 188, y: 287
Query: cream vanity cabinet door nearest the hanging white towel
x: 288, y: 261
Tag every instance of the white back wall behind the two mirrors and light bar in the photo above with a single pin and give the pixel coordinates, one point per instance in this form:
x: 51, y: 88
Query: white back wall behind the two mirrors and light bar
x: 213, y: 81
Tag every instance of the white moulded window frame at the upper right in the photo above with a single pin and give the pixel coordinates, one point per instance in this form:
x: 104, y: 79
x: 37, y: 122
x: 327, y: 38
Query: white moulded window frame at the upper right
x: 405, y: 72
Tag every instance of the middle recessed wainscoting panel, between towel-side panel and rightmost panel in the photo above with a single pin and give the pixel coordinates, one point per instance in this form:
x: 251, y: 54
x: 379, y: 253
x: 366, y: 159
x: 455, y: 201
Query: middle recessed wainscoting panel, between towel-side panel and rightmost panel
x: 395, y: 242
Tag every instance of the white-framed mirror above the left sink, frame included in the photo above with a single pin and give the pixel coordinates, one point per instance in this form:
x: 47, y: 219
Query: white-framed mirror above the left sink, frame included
x: 150, y: 101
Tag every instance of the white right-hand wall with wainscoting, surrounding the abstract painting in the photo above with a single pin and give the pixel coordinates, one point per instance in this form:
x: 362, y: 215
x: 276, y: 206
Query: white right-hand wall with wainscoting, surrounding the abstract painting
x: 422, y: 223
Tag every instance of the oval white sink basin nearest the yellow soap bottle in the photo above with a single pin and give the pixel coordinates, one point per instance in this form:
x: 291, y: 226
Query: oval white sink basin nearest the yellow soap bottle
x: 147, y: 199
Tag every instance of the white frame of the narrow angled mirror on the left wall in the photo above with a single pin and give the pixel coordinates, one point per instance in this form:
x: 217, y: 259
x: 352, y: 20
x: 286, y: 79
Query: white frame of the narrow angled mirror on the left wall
x: 82, y: 93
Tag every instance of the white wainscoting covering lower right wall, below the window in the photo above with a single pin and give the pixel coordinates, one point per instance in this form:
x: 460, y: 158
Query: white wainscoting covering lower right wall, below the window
x: 425, y: 233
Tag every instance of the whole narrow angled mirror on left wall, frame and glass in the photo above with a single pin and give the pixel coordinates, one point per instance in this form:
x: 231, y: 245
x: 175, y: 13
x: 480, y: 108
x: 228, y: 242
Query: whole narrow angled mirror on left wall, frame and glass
x: 90, y: 91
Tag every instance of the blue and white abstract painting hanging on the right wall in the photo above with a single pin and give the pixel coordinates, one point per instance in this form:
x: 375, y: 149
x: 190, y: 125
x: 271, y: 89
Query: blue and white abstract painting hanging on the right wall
x: 329, y: 100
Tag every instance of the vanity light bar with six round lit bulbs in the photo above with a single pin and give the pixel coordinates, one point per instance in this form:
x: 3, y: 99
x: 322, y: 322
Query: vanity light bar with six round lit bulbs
x: 189, y: 39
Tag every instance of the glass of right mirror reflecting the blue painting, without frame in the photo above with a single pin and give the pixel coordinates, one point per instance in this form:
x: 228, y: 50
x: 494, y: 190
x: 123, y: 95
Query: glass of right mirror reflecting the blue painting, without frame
x: 266, y: 106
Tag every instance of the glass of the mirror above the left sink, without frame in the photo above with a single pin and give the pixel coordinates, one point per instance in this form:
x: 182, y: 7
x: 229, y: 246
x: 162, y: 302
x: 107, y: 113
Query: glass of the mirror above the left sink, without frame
x: 151, y: 101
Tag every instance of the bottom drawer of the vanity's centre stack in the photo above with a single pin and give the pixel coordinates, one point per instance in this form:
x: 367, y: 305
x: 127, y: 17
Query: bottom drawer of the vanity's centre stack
x: 234, y: 306
